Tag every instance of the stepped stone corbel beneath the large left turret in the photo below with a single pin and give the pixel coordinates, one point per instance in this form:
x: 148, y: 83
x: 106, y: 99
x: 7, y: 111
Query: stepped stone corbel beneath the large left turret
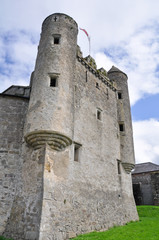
x: 55, y: 140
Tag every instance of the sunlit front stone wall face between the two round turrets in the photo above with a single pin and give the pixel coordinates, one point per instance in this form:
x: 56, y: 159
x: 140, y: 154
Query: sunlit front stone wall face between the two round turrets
x: 88, y: 193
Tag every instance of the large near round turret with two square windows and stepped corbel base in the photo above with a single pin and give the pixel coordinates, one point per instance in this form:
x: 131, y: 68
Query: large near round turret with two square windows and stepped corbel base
x: 50, y: 112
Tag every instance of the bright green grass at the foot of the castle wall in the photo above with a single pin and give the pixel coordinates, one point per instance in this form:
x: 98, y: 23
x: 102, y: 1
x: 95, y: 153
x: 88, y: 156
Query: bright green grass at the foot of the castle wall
x: 145, y: 229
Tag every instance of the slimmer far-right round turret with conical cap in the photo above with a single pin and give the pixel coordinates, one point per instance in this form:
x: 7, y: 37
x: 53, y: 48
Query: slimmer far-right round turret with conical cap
x: 124, y: 118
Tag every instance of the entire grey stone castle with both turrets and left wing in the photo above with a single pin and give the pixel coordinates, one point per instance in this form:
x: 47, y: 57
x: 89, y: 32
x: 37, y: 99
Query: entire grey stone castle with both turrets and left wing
x: 66, y: 145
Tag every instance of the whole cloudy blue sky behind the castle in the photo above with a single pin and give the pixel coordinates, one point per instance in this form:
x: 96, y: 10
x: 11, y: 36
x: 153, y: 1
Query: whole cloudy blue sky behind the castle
x: 124, y: 33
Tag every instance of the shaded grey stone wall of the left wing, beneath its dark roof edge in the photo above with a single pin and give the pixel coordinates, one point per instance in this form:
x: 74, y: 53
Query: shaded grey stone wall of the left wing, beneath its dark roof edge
x: 12, y: 116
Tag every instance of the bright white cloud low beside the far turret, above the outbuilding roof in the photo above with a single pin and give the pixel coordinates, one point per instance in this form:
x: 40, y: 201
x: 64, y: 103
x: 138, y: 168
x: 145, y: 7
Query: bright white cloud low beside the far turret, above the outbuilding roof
x: 146, y: 141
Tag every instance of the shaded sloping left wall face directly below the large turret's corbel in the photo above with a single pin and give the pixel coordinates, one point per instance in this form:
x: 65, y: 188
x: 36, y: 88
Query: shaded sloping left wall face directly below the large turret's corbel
x: 24, y: 221
